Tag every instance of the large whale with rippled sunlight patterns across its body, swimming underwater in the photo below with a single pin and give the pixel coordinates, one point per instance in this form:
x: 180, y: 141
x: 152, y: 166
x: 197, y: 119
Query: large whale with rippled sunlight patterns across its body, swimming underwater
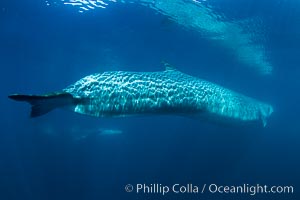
x: 121, y: 93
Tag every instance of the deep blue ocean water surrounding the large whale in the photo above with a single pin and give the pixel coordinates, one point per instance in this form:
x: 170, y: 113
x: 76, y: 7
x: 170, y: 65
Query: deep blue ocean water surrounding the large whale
x: 63, y: 155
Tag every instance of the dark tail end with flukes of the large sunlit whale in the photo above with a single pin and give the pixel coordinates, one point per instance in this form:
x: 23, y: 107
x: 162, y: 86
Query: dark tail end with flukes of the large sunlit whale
x: 42, y: 104
